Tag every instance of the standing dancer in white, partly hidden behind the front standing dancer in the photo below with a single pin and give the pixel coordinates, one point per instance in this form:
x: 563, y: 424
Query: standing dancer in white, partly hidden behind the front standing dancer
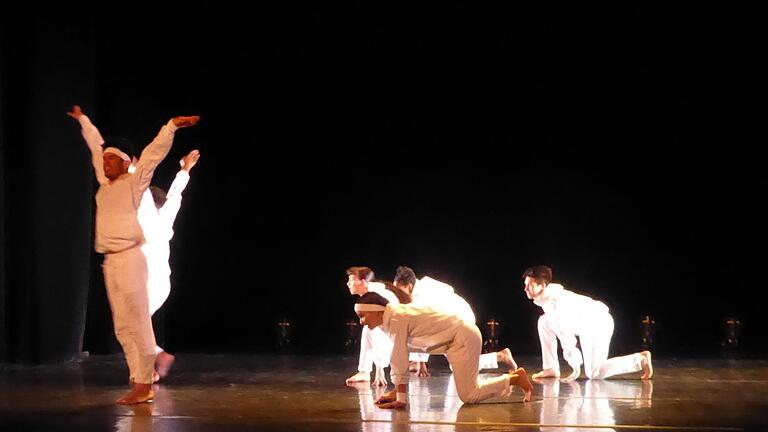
x: 157, y: 214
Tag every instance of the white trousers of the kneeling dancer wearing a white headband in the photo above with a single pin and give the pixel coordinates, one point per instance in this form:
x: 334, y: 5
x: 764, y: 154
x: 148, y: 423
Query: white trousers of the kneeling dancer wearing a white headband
x: 463, y: 354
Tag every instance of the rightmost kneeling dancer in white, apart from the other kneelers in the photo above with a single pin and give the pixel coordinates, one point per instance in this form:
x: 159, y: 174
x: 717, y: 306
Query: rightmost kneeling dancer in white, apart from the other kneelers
x: 567, y: 315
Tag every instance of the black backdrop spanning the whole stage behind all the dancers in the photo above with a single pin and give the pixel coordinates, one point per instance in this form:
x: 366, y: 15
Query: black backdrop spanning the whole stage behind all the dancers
x: 620, y: 144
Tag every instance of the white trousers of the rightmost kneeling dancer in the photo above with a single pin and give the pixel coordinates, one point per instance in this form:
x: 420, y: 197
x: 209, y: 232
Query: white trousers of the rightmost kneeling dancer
x: 594, y: 349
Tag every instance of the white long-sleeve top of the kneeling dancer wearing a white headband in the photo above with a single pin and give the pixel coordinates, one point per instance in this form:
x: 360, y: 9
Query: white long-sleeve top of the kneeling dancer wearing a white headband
x: 417, y: 329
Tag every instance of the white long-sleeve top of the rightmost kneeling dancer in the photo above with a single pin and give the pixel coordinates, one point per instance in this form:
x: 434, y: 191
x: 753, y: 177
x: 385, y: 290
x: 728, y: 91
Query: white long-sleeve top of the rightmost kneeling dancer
x: 573, y: 314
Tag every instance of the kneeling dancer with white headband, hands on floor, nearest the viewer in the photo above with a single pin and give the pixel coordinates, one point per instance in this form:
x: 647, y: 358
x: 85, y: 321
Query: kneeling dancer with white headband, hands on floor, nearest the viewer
x: 420, y: 329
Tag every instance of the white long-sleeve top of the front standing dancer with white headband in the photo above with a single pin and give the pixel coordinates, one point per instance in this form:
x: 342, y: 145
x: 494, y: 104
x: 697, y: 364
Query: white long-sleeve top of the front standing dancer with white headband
x: 117, y: 202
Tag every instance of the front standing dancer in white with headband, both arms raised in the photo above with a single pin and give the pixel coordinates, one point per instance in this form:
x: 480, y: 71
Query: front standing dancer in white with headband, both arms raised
x: 119, y: 237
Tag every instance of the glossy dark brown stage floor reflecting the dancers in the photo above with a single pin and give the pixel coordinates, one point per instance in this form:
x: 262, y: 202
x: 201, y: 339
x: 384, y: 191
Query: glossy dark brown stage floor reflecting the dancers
x: 297, y: 393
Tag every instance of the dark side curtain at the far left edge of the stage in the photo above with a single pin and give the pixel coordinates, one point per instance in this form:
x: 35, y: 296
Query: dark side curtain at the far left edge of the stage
x: 46, y: 187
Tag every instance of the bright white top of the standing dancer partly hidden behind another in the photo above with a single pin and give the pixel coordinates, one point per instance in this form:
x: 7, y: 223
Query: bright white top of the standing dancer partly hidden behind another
x: 157, y: 224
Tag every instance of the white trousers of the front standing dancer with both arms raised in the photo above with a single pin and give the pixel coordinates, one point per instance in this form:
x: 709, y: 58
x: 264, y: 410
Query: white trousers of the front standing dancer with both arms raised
x: 125, y: 277
